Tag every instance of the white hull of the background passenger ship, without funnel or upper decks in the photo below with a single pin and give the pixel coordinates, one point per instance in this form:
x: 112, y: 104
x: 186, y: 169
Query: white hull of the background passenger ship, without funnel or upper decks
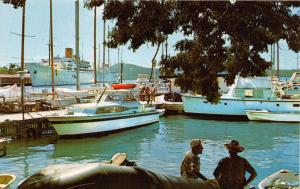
x: 41, y: 75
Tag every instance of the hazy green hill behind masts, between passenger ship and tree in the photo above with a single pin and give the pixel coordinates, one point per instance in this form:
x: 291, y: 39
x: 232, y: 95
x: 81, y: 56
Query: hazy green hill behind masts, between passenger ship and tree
x: 131, y: 71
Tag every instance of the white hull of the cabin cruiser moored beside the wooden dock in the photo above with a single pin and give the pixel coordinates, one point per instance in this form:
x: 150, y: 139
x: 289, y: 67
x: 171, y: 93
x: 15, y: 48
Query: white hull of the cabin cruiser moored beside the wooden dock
x: 91, y: 125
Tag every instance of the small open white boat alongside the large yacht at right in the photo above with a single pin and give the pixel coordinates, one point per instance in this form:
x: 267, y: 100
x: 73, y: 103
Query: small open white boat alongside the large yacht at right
x: 254, y: 115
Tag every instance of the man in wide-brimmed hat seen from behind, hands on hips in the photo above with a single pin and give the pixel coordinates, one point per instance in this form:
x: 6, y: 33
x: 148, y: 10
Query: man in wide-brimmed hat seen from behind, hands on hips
x: 231, y: 170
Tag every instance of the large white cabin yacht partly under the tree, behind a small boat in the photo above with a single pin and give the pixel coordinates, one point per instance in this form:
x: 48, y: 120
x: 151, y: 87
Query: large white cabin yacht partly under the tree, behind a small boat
x: 244, y: 94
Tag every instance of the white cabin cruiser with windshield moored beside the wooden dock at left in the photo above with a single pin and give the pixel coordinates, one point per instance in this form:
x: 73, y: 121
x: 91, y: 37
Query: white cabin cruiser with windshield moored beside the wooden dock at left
x: 111, y: 111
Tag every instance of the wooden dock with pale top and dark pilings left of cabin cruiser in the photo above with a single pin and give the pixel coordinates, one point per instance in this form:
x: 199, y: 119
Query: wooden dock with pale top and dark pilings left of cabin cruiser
x: 35, y: 124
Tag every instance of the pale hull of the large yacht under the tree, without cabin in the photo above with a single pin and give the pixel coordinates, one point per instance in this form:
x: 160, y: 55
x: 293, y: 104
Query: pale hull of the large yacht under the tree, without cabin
x: 235, y: 107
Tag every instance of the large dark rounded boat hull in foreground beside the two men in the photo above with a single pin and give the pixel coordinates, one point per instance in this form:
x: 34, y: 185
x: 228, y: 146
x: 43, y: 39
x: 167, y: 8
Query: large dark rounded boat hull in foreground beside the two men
x: 99, y: 175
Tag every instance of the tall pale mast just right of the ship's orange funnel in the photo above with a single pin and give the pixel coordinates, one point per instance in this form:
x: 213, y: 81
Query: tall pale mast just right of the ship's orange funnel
x: 77, y: 42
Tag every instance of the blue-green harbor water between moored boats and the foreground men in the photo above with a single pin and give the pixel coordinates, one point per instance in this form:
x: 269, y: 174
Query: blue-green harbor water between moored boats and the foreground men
x: 161, y: 147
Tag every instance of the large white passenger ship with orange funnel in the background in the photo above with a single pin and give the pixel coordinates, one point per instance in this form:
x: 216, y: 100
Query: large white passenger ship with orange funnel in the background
x: 65, y: 72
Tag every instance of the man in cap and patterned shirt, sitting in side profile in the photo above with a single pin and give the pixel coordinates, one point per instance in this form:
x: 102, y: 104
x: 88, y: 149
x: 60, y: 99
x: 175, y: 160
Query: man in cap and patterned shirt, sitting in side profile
x: 190, y: 166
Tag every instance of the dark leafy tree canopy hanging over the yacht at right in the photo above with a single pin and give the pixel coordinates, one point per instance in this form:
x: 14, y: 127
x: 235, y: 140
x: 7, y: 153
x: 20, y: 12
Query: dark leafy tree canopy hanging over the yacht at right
x: 217, y: 36
